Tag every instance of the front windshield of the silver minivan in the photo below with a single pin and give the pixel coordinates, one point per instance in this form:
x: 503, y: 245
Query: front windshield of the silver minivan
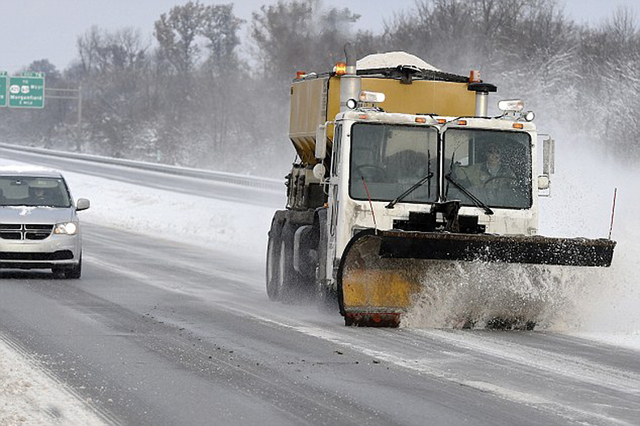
x: 33, y: 192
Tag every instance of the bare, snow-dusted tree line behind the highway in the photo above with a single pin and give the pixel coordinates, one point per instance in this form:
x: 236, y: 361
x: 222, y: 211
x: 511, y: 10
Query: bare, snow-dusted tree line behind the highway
x: 201, y: 93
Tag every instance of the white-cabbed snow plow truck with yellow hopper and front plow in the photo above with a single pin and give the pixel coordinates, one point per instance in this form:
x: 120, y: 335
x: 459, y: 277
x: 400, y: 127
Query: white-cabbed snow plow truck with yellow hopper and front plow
x: 400, y: 168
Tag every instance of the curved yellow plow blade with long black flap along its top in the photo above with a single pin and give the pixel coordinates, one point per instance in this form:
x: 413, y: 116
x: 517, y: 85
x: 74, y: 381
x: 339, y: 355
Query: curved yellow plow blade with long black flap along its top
x: 379, y: 272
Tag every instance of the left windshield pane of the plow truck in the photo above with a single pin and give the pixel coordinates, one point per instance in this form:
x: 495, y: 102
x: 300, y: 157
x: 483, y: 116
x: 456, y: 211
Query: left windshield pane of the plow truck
x: 389, y: 159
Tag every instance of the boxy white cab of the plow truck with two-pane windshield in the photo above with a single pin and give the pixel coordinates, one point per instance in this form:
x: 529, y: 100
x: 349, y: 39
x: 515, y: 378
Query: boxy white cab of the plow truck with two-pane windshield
x: 379, y: 157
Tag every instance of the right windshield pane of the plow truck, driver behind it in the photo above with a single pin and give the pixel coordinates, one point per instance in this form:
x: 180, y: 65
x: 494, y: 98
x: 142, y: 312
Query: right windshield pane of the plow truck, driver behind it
x: 494, y: 166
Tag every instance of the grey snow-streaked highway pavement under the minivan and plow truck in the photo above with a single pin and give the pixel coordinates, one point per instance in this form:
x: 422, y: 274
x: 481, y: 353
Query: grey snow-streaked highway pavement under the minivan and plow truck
x: 159, y: 332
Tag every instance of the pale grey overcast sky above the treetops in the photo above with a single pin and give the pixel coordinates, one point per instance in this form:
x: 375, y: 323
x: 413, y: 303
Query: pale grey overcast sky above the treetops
x: 48, y: 29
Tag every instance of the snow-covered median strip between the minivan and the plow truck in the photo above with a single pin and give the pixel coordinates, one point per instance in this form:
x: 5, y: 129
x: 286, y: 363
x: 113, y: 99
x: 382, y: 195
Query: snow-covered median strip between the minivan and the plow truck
x: 218, y: 224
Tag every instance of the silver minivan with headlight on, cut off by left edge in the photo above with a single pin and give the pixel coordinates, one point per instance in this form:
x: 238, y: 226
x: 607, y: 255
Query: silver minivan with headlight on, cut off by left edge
x: 39, y: 227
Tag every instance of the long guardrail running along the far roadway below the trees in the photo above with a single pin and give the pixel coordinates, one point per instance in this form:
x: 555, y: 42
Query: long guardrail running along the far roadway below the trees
x: 236, y: 179
